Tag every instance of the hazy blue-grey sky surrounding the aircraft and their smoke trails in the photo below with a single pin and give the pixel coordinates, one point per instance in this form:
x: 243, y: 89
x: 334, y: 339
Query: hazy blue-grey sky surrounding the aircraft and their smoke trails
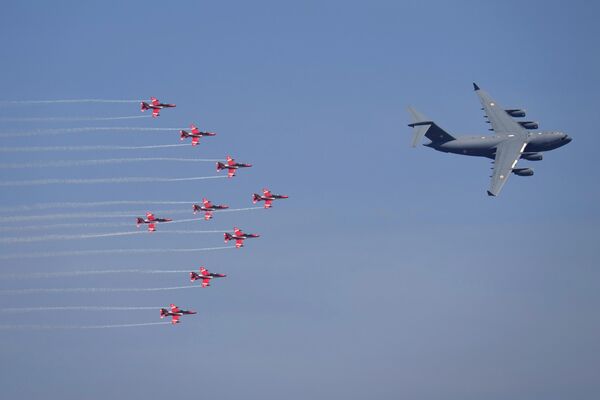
x: 387, y: 274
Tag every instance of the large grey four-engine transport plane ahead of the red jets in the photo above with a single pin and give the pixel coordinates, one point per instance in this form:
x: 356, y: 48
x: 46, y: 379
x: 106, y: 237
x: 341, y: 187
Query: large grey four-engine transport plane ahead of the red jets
x: 510, y: 141
